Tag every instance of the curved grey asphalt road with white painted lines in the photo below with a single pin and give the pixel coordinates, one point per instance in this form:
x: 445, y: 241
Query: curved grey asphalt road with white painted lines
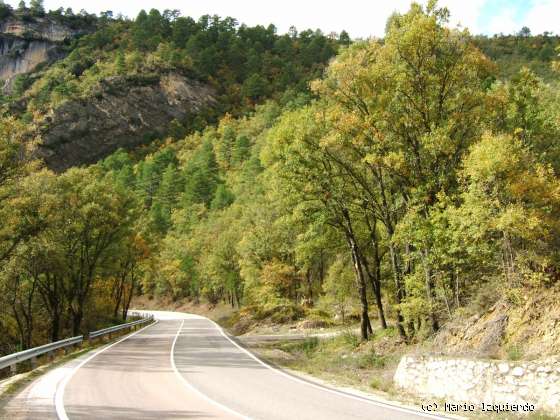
x: 186, y: 367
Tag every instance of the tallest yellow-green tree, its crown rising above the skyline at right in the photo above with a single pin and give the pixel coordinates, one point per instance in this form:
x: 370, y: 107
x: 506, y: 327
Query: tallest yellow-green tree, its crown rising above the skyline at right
x: 418, y: 102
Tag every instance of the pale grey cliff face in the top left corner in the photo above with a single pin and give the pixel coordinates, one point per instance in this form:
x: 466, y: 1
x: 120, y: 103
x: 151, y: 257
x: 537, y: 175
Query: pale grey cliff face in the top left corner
x: 26, y: 44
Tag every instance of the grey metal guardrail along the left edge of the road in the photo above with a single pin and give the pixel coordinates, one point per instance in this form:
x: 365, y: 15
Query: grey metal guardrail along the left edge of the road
x: 12, y: 360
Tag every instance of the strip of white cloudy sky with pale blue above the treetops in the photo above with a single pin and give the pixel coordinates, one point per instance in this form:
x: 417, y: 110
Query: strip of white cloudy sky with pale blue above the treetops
x: 361, y: 18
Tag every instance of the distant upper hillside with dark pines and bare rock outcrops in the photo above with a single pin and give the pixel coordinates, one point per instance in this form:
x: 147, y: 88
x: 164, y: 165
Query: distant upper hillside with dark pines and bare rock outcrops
x: 68, y: 75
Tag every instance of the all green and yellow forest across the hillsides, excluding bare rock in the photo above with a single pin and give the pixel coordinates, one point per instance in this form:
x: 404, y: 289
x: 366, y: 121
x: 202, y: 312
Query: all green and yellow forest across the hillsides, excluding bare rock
x: 407, y: 181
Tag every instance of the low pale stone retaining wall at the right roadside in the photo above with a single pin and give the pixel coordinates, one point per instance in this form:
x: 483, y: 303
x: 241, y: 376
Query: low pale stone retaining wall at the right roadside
x: 482, y: 381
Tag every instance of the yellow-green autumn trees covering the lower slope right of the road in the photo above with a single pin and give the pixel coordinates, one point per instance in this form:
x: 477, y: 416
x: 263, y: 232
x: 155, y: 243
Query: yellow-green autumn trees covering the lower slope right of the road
x: 413, y: 185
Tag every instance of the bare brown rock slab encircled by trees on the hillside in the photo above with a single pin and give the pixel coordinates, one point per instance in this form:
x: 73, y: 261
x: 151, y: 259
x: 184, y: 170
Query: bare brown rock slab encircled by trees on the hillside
x: 125, y: 112
